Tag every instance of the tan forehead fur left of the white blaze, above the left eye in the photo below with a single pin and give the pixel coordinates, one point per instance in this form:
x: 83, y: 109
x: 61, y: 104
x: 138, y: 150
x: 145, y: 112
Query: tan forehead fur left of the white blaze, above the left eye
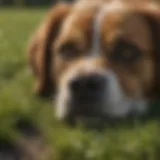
x: 77, y: 22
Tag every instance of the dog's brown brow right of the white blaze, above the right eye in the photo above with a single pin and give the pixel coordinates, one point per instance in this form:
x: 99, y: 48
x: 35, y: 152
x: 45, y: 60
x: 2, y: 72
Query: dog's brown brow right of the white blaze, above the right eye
x: 118, y: 19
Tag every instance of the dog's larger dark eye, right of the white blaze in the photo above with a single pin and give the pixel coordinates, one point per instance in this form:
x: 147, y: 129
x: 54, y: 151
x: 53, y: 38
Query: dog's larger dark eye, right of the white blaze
x: 125, y: 52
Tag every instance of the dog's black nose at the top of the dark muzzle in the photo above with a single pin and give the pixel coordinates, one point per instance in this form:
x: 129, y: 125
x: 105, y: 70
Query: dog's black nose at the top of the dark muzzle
x: 88, y: 84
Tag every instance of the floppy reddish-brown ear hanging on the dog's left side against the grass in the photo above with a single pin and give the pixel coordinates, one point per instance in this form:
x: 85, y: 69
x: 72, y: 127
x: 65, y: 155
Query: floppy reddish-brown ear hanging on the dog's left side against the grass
x: 40, y: 50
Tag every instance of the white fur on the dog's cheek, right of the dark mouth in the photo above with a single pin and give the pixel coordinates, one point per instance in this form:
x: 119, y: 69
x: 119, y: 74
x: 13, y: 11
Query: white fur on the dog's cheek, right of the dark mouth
x: 117, y: 103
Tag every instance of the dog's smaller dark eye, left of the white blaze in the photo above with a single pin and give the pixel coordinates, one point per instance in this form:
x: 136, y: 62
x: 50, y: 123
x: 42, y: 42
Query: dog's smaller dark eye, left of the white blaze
x: 68, y: 50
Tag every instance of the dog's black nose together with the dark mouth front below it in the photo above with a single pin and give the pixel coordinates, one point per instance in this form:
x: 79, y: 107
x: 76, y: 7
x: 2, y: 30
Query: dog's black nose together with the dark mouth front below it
x: 87, y: 92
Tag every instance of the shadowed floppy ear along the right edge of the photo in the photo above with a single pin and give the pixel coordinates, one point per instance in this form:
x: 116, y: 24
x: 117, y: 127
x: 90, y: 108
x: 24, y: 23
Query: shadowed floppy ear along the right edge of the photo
x: 152, y: 17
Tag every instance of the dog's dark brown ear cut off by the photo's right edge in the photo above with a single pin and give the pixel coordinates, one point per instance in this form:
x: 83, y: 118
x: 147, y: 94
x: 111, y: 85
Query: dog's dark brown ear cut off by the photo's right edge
x: 149, y: 11
